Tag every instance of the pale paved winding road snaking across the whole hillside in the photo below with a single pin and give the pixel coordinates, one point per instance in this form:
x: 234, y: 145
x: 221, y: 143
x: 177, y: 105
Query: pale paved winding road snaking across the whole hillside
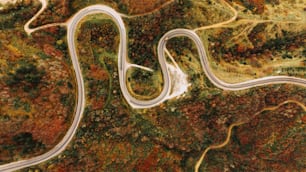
x: 123, y: 66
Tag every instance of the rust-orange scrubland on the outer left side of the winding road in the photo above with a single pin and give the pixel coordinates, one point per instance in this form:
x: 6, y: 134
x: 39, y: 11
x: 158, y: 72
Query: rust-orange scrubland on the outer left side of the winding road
x: 30, y: 106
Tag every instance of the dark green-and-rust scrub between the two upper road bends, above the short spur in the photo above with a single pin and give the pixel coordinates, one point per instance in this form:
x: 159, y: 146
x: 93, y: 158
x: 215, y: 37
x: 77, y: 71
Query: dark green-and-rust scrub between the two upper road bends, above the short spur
x: 145, y: 32
